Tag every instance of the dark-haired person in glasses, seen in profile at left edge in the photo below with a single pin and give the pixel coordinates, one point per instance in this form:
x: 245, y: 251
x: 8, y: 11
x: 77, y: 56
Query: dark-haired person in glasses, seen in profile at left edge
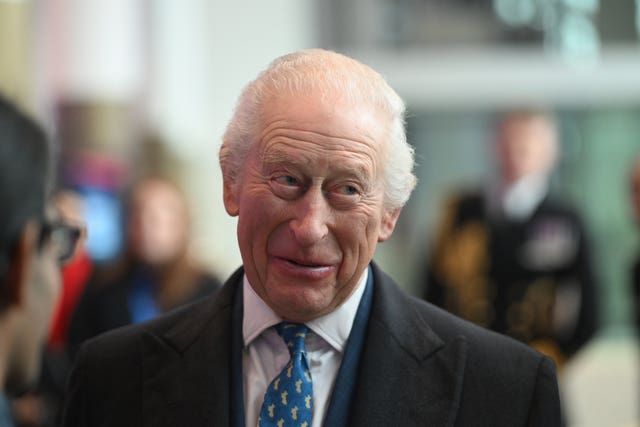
x: 34, y: 242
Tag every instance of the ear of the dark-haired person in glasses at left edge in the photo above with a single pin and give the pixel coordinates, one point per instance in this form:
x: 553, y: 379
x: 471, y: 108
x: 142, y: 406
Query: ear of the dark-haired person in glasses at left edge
x: 20, y: 262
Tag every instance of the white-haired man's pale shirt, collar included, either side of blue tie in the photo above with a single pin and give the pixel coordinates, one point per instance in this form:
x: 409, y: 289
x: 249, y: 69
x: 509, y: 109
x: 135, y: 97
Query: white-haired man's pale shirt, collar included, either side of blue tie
x: 265, y: 354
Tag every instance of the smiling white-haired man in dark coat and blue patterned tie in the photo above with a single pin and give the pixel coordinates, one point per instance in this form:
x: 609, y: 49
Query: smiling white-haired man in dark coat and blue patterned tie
x: 310, y: 332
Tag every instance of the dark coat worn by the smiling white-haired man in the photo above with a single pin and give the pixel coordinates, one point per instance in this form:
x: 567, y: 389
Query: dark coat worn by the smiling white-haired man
x: 420, y: 366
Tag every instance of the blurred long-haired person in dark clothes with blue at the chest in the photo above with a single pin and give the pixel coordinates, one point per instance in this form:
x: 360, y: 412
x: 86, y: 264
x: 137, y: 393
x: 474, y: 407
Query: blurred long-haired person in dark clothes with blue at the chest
x: 157, y: 273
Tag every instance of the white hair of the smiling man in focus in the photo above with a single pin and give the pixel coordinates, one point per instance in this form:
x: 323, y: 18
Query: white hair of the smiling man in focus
x: 331, y: 74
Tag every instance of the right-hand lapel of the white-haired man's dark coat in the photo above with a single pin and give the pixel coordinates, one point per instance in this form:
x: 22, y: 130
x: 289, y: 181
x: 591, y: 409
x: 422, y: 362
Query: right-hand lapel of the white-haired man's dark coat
x: 408, y: 375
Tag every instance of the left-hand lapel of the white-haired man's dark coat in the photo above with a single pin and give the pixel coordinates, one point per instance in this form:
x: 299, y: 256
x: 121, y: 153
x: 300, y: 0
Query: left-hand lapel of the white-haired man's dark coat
x: 186, y: 367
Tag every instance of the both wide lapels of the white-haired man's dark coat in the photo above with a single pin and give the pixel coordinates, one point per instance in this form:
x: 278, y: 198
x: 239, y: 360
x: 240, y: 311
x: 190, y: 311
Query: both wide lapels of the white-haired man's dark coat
x: 186, y: 365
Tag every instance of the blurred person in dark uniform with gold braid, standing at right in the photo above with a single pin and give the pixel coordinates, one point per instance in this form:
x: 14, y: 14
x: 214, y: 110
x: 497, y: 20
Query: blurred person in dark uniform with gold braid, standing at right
x: 513, y: 258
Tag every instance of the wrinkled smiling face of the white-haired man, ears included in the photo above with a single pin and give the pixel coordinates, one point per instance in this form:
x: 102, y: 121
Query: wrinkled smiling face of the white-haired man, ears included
x: 310, y: 204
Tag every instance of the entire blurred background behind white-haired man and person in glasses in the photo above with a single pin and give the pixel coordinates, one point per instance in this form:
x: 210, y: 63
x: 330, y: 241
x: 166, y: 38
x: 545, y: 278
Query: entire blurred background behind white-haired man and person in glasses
x: 524, y: 114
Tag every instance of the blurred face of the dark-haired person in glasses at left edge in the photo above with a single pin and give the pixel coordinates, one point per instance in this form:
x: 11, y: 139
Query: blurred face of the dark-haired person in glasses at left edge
x: 39, y: 296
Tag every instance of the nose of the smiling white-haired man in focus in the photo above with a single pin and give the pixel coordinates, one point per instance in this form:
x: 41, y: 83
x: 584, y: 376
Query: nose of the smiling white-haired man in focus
x: 309, y: 224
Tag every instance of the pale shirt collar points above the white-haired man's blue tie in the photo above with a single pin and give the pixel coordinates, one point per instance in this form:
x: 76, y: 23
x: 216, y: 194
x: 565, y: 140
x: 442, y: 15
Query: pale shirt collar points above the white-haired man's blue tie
x: 333, y: 327
